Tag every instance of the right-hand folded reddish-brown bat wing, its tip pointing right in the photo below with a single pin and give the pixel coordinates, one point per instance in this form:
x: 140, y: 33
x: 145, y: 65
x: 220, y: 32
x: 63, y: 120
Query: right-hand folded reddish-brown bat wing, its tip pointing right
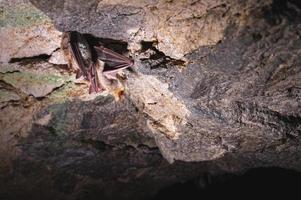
x: 114, y: 61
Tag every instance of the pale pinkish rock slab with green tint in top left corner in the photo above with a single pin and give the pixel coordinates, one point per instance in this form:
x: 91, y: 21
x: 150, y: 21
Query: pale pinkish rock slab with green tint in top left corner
x: 25, y: 31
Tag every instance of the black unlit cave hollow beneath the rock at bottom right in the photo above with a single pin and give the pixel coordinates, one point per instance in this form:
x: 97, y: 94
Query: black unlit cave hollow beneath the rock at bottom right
x: 256, y: 183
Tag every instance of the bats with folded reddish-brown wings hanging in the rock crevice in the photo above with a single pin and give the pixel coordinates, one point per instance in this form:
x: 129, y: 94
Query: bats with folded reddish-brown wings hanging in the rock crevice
x: 95, y: 63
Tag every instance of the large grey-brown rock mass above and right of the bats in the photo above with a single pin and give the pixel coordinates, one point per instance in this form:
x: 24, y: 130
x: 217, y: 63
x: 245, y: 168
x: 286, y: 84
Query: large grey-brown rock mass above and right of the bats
x: 229, y: 93
